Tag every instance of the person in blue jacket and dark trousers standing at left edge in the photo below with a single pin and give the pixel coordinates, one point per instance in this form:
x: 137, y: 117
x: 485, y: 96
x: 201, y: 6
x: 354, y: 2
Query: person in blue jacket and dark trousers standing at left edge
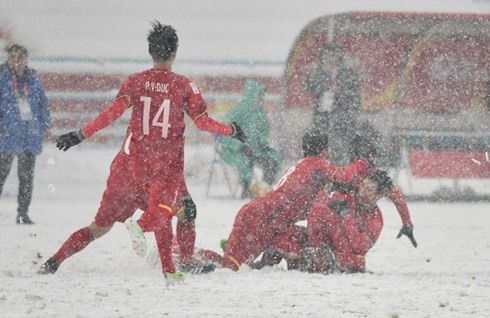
x: 24, y: 119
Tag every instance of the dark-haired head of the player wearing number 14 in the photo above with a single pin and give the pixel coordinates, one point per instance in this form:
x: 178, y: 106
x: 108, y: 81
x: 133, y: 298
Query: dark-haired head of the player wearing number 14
x: 162, y: 41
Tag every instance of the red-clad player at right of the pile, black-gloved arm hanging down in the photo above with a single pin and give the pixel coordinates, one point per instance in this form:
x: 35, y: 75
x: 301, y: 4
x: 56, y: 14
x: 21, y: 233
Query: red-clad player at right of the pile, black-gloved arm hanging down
x: 349, y: 224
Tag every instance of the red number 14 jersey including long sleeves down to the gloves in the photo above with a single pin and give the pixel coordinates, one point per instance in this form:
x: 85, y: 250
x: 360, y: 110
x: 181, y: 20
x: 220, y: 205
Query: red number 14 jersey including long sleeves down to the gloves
x: 159, y: 99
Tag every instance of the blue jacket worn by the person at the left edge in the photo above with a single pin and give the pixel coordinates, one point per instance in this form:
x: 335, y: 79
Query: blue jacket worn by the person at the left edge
x: 17, y: 135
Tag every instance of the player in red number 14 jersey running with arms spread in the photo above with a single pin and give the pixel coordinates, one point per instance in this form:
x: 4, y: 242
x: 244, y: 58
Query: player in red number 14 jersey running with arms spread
x: 159, y: 99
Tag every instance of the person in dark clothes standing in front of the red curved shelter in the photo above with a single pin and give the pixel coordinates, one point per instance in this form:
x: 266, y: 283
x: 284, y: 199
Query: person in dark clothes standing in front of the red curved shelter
x: 337, y: 95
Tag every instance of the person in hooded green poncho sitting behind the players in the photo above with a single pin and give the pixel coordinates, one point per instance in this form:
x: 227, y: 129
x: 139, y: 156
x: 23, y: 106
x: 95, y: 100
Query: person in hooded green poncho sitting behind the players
x: 250, y: 115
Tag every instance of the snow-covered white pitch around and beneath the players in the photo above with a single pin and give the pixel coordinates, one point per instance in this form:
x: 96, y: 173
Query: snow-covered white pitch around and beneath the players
x: 446, y: 276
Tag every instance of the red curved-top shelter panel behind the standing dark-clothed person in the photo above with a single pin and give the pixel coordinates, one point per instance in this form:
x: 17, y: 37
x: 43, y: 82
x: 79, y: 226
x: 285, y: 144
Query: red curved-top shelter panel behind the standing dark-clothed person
x: 435, y: 66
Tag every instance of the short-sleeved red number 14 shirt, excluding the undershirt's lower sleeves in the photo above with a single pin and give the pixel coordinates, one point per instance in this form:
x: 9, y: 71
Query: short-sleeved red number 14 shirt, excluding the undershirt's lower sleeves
x: 160, y: 99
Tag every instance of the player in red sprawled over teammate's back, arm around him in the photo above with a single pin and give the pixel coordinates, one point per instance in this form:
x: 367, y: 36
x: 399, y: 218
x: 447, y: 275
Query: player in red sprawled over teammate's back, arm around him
x: 259, y: 222
